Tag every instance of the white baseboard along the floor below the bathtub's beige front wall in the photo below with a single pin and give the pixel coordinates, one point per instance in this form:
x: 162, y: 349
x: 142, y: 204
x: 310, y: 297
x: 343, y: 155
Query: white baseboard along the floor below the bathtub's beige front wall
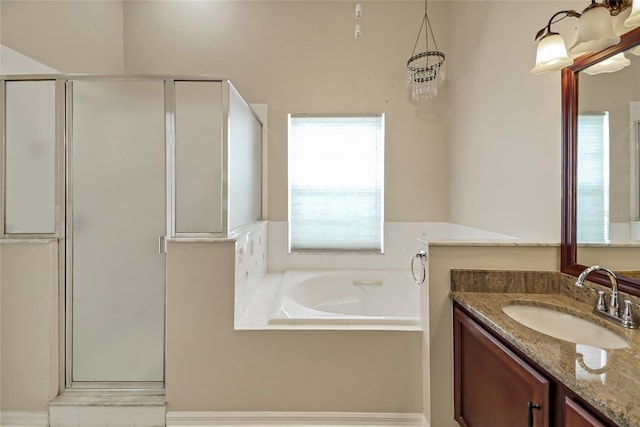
x: 225, y: 419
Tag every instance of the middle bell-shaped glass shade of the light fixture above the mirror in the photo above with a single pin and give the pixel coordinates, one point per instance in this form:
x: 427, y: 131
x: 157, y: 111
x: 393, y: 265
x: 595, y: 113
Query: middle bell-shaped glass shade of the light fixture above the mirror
x: 595, y: 31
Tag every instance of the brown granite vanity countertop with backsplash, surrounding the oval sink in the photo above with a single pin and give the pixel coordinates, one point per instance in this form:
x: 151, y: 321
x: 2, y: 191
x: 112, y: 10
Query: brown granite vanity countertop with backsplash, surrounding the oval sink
x: 614, y: 391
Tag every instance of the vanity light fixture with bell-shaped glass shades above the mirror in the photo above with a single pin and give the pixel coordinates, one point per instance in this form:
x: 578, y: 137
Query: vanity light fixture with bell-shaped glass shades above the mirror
x: 595, y: 32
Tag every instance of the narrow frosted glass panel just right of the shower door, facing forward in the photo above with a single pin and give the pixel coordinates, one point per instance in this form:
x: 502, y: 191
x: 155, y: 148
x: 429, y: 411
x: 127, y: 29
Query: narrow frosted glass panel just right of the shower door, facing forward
x: 198, y: 157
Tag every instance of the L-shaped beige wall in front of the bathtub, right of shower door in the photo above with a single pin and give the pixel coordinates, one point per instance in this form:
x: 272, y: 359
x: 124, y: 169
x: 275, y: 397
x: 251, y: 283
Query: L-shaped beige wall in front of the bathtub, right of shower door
x: 211, y: 367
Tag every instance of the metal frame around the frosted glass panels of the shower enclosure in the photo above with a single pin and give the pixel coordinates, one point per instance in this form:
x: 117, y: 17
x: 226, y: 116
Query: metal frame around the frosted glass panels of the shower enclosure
x: 64, y: 202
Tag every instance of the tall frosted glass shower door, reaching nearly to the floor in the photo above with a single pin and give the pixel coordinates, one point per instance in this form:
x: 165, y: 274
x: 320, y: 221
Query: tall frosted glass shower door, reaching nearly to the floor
x: 117, y: 211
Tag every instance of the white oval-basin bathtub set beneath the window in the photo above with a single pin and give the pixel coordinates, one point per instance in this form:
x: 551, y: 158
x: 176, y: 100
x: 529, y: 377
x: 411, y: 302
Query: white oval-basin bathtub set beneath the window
x: 368, y: 299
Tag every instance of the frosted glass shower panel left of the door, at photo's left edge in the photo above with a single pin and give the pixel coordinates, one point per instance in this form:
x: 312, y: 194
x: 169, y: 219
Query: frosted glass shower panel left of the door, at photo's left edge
x: 30, y: 149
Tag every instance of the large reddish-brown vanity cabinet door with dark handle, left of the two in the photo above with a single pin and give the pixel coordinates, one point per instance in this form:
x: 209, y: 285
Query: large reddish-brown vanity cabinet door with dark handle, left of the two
x: 493, y: 386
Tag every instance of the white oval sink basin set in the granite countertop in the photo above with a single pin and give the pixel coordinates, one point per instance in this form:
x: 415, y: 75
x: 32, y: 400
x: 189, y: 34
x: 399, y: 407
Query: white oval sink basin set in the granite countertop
x: 564, y: 326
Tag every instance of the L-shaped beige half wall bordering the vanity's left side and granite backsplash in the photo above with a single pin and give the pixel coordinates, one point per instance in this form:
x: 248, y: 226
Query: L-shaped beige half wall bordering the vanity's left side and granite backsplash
x: 439, y: 390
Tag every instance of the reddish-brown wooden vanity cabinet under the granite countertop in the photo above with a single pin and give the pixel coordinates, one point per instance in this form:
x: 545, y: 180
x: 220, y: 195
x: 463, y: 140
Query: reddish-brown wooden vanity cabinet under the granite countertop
x: 496, y: 386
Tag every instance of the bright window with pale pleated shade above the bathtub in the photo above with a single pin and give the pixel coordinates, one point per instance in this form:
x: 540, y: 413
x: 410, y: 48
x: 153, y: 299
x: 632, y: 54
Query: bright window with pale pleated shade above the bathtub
x: 336, y: 182
